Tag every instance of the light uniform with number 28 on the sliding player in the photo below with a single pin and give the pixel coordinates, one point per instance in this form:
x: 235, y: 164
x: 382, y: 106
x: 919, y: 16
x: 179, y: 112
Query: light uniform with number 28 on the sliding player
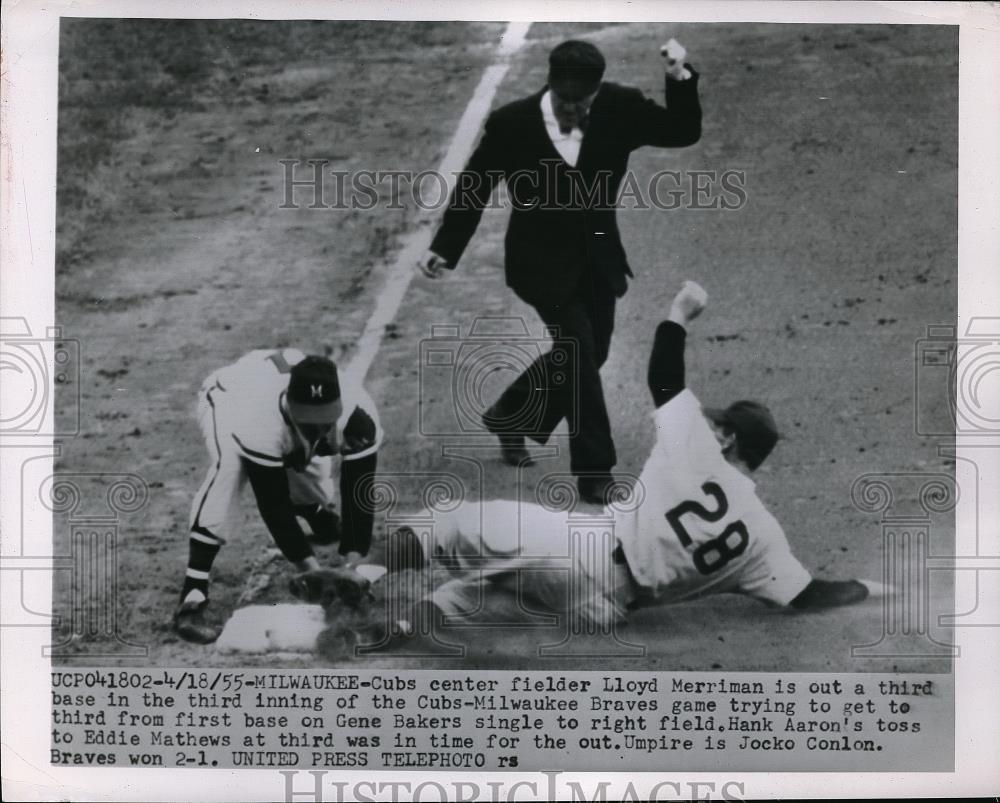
x: 701, y: 529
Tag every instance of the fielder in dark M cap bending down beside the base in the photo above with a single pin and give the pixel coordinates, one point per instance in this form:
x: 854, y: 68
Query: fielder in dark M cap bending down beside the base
x: 276, y: 419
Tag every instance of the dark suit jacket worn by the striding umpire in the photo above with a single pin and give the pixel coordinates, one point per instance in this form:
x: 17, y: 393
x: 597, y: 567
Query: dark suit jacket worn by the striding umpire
x: 562, y: 221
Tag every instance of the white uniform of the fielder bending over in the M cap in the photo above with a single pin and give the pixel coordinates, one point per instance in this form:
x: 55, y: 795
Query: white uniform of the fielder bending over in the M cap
x: 243, y: 416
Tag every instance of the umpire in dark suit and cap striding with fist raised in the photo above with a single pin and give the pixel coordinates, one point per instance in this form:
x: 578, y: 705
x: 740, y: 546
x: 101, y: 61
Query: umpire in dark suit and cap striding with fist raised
x: 563, y: 153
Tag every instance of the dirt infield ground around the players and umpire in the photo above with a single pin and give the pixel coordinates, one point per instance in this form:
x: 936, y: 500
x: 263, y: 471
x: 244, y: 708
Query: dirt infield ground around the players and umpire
x: 175, y: 257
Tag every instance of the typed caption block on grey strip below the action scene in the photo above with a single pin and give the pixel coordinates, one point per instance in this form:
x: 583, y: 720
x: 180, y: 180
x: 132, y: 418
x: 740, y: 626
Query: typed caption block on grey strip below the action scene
x: 525, y: 721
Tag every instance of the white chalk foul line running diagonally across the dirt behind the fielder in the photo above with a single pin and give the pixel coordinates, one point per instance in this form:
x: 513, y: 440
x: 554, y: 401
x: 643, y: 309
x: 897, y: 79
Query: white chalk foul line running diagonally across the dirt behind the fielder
x: 416, y: 242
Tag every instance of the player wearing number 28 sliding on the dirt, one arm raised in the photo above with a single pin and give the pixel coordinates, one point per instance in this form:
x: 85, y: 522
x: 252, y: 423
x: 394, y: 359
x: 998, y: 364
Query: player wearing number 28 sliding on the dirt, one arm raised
x: 701, y: 528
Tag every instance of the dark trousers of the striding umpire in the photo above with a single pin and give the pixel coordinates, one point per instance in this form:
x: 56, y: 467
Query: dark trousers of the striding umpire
x: 566, y: 381
